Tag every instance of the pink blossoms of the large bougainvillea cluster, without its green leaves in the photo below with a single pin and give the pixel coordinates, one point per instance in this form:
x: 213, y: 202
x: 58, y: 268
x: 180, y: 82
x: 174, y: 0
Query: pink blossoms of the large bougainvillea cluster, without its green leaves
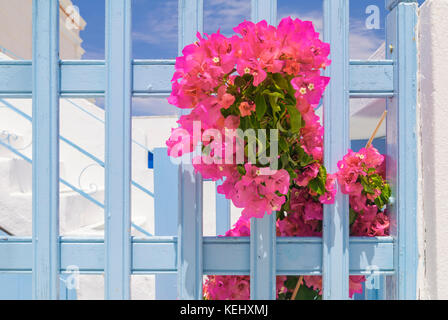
x: 201, y: 82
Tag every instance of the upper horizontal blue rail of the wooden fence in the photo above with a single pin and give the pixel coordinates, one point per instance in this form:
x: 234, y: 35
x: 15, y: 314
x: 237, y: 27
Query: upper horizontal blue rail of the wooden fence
x: 83, y: 78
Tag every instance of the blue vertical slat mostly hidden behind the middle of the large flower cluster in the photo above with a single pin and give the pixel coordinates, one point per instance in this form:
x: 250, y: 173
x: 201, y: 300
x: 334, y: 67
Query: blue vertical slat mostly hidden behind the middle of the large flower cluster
x: 263, y: 236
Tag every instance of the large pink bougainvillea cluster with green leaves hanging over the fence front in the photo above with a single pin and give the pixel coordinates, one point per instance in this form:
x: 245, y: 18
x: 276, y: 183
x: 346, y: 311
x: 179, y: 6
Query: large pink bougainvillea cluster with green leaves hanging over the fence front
x: 265, y: 74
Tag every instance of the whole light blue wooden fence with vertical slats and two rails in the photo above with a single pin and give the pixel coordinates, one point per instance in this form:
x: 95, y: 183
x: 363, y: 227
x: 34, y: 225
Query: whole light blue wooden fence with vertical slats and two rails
x: 179, y: 246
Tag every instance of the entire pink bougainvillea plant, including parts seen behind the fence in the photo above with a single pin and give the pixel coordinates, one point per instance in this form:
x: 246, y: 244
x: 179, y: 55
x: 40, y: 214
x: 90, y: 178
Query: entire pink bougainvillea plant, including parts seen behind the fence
x: 268, y: 79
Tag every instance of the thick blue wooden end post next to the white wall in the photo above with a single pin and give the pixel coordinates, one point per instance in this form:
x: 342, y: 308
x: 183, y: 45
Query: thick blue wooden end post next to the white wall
x: 401, y: 146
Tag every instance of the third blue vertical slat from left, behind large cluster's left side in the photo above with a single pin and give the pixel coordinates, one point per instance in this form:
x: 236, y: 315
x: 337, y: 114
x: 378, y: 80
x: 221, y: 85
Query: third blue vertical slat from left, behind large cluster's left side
x: 190, y: 266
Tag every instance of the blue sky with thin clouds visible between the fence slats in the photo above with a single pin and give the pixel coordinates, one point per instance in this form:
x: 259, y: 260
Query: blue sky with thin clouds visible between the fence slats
x: 154, y: 29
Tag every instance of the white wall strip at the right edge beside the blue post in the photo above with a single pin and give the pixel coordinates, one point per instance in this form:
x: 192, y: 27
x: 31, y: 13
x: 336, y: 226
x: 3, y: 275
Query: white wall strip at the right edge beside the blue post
x: 433, y: 107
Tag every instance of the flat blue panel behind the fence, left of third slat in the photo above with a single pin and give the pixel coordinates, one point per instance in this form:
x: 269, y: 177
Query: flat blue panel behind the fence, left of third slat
x: 166, y: 209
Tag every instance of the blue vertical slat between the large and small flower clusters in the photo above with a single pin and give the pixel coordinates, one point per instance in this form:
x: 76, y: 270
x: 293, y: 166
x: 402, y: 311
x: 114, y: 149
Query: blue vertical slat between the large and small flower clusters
x: 336, y: 142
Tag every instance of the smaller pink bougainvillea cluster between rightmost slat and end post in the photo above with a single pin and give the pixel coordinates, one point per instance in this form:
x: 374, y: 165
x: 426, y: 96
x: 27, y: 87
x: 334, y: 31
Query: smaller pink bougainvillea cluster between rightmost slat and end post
x: 357, y: 166
